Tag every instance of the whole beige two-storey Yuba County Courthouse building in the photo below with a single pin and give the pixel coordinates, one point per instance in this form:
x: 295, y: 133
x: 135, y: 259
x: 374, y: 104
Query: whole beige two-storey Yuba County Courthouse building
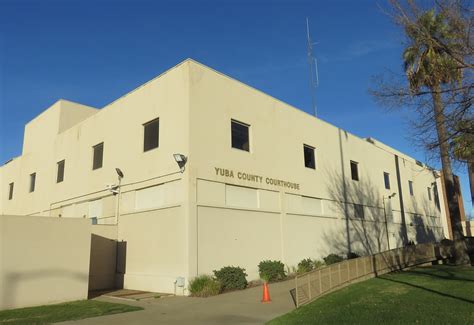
x: 261, y: 180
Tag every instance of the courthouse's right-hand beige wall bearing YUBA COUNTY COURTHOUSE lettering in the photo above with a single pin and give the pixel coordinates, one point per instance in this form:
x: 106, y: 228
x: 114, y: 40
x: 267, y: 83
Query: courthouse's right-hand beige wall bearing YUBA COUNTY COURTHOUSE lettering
x: 252, y: 220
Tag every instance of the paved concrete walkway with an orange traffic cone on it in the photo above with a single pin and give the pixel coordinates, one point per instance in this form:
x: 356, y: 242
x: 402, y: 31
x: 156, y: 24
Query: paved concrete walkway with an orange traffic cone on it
x: 239, y: 307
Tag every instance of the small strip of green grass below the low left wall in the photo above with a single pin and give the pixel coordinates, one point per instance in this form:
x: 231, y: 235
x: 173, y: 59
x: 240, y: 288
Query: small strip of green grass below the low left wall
x: 62, y: 312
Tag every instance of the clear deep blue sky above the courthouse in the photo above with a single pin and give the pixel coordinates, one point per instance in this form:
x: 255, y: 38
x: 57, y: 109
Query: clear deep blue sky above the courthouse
x: 95, y: 51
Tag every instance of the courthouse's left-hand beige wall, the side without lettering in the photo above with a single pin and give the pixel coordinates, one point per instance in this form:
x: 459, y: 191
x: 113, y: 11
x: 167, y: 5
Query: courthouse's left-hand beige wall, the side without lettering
x: 152, y: 194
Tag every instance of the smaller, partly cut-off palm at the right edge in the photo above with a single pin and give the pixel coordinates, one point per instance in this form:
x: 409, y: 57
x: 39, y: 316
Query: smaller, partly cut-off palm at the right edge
x: 463, y: 150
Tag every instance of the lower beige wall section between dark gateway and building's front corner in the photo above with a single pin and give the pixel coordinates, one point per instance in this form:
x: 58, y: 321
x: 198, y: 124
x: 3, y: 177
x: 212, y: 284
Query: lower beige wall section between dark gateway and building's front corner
x: 155, y: 244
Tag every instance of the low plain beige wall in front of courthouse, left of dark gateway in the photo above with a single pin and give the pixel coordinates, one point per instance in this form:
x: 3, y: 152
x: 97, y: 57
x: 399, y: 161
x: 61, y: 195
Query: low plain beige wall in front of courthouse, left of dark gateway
x: 43, y: 260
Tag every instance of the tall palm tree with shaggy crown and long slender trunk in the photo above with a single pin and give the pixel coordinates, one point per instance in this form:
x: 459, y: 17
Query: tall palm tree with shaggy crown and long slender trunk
x: 428, y: 66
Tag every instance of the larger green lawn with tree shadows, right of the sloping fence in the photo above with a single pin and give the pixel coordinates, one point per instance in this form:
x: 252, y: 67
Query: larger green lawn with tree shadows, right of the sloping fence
x: 424, y: 295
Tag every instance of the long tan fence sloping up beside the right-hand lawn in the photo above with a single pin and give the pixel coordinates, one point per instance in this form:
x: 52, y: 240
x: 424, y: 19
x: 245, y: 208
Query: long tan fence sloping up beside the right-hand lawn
x: 316, y: 283
